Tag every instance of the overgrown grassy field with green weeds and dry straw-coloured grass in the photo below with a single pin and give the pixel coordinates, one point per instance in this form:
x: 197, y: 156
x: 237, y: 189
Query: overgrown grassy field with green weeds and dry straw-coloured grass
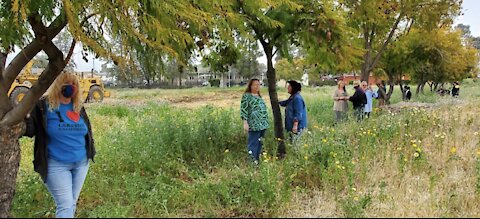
x: 182, y: 153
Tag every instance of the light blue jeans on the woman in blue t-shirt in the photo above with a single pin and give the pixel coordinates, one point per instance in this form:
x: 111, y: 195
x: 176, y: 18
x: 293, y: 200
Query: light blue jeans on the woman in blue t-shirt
x: 65, y: 181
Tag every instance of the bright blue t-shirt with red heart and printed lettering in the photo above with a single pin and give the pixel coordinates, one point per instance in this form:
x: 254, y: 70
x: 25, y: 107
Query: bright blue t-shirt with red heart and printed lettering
x: 66, y: 132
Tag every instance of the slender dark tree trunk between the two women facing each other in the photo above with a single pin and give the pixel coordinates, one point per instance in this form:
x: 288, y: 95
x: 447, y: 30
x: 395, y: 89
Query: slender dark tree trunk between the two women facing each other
x: 277, y: 115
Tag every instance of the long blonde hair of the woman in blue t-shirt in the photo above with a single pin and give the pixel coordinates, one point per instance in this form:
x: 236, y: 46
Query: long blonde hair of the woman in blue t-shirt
x: 54, y: 93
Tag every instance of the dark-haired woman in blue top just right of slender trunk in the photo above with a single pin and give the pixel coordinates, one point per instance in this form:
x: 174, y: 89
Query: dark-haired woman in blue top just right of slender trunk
x: 295, y: 110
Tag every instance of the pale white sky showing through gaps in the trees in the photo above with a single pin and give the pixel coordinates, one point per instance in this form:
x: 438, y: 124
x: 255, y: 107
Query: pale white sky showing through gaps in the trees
x: 471, y: 17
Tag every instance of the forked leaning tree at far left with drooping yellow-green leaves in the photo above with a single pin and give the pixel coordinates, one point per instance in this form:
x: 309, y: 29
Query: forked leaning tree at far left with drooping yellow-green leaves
x: 32, y: 26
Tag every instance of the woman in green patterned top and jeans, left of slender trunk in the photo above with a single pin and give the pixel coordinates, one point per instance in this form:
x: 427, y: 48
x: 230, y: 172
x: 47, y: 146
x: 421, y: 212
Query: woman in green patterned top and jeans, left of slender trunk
x: 254, y: 114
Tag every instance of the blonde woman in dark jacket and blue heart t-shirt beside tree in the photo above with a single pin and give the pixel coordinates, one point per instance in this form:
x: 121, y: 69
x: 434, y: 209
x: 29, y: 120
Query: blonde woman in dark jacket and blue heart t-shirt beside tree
x: 63, y: 142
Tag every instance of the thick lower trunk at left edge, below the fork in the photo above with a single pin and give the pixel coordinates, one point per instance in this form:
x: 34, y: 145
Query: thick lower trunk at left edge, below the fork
x: 9, y: 163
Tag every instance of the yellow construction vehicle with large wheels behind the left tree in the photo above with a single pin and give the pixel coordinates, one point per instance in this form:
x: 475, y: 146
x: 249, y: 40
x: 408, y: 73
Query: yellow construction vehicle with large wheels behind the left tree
x: 92, y: 87
